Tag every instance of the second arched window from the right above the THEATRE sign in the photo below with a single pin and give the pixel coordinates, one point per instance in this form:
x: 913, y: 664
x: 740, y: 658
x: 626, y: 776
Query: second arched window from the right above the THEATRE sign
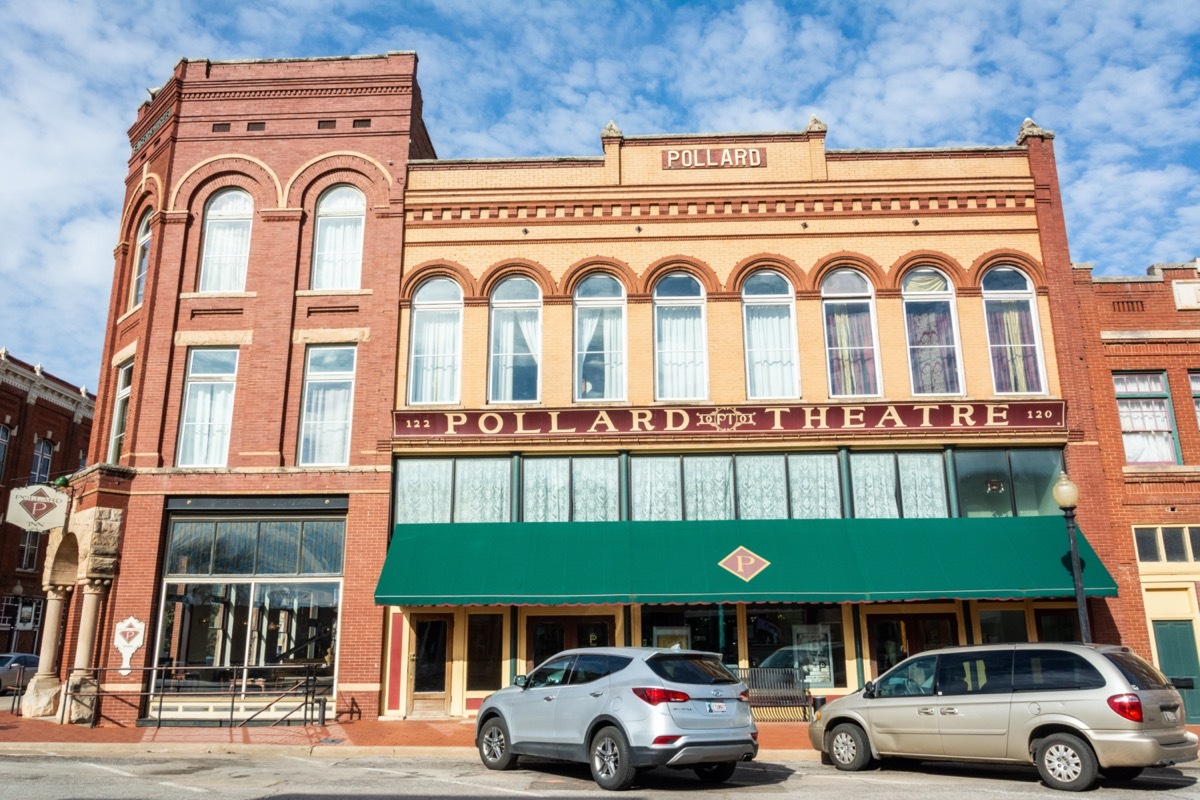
x: 932, y: 328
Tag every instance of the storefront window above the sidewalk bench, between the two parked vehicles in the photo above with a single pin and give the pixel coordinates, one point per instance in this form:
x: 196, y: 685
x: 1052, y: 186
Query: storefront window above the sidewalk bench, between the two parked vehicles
x: 809, y: 639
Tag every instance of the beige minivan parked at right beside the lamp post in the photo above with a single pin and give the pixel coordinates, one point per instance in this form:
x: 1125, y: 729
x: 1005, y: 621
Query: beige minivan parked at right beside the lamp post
x: 1076, y: 711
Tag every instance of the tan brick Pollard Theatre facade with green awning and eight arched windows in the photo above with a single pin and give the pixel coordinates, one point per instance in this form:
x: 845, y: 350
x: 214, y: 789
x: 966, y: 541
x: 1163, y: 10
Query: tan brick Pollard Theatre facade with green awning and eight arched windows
x: 737, y: 393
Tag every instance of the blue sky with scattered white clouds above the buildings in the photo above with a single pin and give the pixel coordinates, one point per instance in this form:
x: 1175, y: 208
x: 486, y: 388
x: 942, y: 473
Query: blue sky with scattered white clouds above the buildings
x: 1118, y: 82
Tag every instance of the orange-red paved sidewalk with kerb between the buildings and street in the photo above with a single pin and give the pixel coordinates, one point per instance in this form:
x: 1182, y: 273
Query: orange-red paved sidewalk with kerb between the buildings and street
x: 399, y: 738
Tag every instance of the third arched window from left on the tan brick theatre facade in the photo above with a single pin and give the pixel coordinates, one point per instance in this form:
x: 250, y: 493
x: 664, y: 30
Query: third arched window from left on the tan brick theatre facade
x: 601, y: 339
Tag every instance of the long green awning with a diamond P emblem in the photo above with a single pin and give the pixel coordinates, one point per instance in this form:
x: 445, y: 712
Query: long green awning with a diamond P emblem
x: 808, y: 561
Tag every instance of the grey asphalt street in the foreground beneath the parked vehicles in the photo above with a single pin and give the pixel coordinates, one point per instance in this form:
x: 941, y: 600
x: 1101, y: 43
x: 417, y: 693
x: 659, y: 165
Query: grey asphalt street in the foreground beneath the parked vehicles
x: 46, y: 775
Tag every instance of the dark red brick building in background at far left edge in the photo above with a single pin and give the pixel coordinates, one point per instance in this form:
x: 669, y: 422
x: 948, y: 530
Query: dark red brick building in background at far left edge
x: 45, y: 429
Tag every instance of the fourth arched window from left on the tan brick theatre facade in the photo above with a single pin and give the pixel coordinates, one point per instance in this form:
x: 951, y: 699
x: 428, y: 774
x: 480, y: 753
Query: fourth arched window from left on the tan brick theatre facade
x: 681, y: 340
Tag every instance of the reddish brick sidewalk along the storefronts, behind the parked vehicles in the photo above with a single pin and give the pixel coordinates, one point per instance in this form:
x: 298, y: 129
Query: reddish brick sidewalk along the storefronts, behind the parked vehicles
x: 409, y: 735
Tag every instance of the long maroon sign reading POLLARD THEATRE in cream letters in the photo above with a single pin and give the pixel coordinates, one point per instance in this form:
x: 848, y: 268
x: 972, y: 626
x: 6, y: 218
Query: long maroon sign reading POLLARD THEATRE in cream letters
x: 740, y: 422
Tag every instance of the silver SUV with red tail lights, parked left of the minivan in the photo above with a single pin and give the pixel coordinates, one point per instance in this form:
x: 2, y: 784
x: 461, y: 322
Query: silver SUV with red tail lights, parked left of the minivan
x: 623, y: 711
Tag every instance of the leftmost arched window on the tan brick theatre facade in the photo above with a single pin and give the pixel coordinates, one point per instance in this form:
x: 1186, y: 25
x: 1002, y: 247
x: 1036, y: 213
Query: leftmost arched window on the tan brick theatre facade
x: 435, y: 363
